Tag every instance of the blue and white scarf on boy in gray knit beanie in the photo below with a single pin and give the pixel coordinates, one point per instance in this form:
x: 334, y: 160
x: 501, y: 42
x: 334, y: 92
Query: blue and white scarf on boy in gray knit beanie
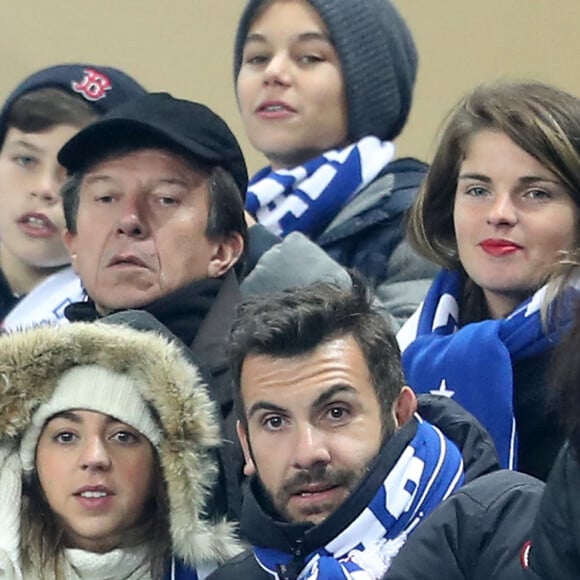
x: 306, y: 198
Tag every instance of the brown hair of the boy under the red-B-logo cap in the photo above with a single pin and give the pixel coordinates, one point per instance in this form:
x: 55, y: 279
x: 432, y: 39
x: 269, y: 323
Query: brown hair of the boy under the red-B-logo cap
x: 43, y: 109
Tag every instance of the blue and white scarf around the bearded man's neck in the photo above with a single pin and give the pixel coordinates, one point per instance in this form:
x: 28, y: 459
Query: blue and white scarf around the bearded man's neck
x: 428, y: 471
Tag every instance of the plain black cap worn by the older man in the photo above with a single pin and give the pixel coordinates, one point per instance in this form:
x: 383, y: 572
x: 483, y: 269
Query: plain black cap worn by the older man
x: 160, y: 119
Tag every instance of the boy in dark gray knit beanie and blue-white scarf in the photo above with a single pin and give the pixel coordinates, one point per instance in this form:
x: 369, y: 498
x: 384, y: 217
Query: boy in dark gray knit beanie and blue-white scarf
x: 324, y: 87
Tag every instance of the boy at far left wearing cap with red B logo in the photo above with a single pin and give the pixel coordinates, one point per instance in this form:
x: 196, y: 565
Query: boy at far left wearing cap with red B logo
x: 38, y: 117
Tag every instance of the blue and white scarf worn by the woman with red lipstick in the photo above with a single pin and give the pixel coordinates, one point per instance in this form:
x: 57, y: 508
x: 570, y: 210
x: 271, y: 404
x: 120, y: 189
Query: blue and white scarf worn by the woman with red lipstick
x: 474, y: 365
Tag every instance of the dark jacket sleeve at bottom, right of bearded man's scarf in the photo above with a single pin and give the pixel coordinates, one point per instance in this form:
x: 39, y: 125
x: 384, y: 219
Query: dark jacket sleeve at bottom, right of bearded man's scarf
x: 479, y: 533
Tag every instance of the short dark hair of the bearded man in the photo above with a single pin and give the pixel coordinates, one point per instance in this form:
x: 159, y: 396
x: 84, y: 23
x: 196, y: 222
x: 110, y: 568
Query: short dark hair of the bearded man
x: 296, y: 321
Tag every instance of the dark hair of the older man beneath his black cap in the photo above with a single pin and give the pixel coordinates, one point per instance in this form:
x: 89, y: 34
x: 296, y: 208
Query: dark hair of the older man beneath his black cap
x: 226, y: 205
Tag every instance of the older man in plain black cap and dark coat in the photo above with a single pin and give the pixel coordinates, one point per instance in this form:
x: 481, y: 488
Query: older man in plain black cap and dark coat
x: 156, y: 232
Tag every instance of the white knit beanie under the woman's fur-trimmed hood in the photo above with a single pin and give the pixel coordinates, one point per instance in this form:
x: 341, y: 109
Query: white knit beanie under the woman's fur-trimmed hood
x: 91, y: 388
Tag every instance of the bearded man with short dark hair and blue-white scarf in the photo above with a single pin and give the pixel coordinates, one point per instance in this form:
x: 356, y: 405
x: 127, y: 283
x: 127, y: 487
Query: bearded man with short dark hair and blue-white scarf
x: 346, y: 465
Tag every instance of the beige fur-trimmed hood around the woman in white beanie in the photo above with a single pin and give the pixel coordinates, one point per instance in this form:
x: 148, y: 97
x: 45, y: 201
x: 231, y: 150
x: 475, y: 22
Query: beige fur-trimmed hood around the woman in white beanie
x: 32, y: 361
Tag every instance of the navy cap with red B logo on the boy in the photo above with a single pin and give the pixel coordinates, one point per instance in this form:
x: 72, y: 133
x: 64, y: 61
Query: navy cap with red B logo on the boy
x: 103, y: 87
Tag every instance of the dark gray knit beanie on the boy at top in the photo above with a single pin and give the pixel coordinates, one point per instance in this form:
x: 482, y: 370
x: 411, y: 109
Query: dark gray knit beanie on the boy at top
x: 377, y: 55
